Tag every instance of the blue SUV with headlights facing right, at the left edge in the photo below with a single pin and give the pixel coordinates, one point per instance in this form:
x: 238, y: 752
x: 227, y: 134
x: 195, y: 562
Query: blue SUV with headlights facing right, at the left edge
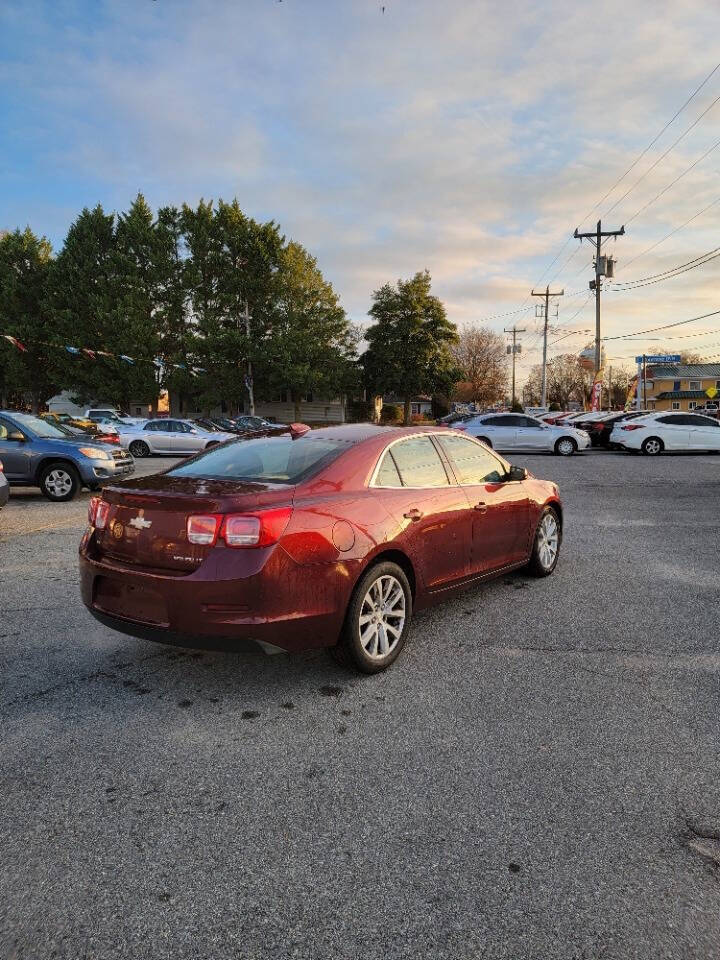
x: 35, y: 453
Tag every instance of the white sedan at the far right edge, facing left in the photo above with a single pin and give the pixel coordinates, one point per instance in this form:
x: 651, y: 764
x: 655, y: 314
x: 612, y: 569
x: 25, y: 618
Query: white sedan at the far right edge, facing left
x: 656, y: 432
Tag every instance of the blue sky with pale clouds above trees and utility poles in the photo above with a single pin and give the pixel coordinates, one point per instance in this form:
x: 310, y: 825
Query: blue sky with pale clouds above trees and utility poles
x: 462, y: 136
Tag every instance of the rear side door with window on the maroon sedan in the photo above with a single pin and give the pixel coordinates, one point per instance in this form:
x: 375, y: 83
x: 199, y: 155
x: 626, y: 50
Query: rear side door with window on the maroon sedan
x: 430, y: 508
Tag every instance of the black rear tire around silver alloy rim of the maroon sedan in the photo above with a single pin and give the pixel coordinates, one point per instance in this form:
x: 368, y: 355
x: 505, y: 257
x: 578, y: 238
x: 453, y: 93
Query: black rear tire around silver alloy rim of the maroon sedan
x: 350, y: 650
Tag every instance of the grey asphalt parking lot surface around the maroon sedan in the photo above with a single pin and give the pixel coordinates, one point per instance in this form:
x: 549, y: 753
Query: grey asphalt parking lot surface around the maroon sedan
x: 537, y: 777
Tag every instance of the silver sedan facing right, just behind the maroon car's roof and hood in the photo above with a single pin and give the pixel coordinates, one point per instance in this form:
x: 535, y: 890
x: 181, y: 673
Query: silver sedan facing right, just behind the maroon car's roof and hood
x: 518, y: 431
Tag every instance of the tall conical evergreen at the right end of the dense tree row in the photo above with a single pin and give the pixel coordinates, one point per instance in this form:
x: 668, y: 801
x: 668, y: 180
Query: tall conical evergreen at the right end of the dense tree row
x: 310, y: 348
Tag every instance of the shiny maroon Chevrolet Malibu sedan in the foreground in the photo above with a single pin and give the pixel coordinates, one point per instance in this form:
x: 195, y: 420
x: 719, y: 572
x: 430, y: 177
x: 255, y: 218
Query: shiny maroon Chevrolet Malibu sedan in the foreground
x: 323, y: 538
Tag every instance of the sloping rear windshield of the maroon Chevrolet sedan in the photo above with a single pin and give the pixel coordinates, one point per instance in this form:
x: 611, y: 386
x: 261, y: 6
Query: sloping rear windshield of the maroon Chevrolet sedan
x: 269, y: 459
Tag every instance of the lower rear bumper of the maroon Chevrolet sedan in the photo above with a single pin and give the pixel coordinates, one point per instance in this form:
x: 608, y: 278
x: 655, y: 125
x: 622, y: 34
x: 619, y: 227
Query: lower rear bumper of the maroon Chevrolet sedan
x: 284, y: 604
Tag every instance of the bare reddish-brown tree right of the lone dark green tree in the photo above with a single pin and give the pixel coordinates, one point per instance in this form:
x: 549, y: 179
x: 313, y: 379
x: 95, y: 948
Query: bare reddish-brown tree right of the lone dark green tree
x: 480, y: 354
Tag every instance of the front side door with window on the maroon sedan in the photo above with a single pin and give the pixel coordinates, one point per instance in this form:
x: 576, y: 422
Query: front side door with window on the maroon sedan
x: 499, y: 508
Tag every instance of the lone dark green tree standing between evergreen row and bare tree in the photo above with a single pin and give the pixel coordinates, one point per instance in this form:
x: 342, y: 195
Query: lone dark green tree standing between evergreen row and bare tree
x: 409, y: 344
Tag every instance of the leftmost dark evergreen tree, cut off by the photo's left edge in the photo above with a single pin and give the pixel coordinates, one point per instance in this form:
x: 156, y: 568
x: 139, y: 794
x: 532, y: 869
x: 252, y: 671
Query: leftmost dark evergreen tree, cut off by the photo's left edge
x: 25, y: 263
